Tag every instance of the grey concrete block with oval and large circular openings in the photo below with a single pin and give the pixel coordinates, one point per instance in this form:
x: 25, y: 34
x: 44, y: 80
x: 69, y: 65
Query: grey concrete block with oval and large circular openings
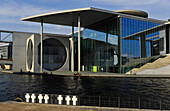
x: 26, y: 52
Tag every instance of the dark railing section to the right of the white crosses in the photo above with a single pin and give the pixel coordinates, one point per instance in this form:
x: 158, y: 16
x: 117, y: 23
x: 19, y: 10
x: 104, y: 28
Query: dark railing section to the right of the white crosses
x: 121, y: 102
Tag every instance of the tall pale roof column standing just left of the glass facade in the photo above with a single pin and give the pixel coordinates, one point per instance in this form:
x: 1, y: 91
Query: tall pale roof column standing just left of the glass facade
x: 78, y: 43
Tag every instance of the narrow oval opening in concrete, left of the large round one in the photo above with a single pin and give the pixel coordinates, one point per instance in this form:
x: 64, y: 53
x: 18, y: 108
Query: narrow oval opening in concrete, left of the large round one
x: 30, y: 54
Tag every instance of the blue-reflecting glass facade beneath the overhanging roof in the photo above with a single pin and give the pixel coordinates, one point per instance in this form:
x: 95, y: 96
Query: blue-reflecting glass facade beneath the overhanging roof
x: 113, y: 45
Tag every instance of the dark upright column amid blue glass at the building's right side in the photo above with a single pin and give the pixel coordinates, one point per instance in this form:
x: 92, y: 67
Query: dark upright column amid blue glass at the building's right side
x: 142, y: 46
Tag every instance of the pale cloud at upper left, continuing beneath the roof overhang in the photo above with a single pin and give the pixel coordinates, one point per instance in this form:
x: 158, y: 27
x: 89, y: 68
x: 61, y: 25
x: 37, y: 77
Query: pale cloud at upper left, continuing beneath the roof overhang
x: 12, y: 12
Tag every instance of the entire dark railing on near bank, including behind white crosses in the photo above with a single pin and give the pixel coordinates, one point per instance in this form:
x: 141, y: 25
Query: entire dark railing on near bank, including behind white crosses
x: 115, y: 101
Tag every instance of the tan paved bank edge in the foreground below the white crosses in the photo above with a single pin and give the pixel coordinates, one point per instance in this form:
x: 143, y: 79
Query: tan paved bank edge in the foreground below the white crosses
x: 23, y: 106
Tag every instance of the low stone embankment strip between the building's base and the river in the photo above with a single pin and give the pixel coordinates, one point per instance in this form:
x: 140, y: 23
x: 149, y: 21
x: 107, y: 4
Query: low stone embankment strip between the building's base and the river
x: 84, y: 74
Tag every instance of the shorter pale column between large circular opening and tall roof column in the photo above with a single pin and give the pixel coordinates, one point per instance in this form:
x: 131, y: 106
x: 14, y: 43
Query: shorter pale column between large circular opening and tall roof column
x: 72, y: 49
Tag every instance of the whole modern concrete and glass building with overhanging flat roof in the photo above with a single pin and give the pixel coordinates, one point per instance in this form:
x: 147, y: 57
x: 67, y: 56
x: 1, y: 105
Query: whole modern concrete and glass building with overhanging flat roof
x: 111, y: 41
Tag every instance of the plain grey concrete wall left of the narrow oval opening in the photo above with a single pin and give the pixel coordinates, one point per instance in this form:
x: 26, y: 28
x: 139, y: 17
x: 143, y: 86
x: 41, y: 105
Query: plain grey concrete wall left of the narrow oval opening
x: 19, y: 50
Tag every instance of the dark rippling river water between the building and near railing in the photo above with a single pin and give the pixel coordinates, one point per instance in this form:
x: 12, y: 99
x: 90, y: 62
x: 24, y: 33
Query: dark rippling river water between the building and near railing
x: 12, y: 86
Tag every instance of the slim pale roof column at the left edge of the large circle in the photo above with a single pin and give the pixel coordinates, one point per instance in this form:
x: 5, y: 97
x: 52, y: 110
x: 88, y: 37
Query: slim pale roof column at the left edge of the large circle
x: 41, y: 70
